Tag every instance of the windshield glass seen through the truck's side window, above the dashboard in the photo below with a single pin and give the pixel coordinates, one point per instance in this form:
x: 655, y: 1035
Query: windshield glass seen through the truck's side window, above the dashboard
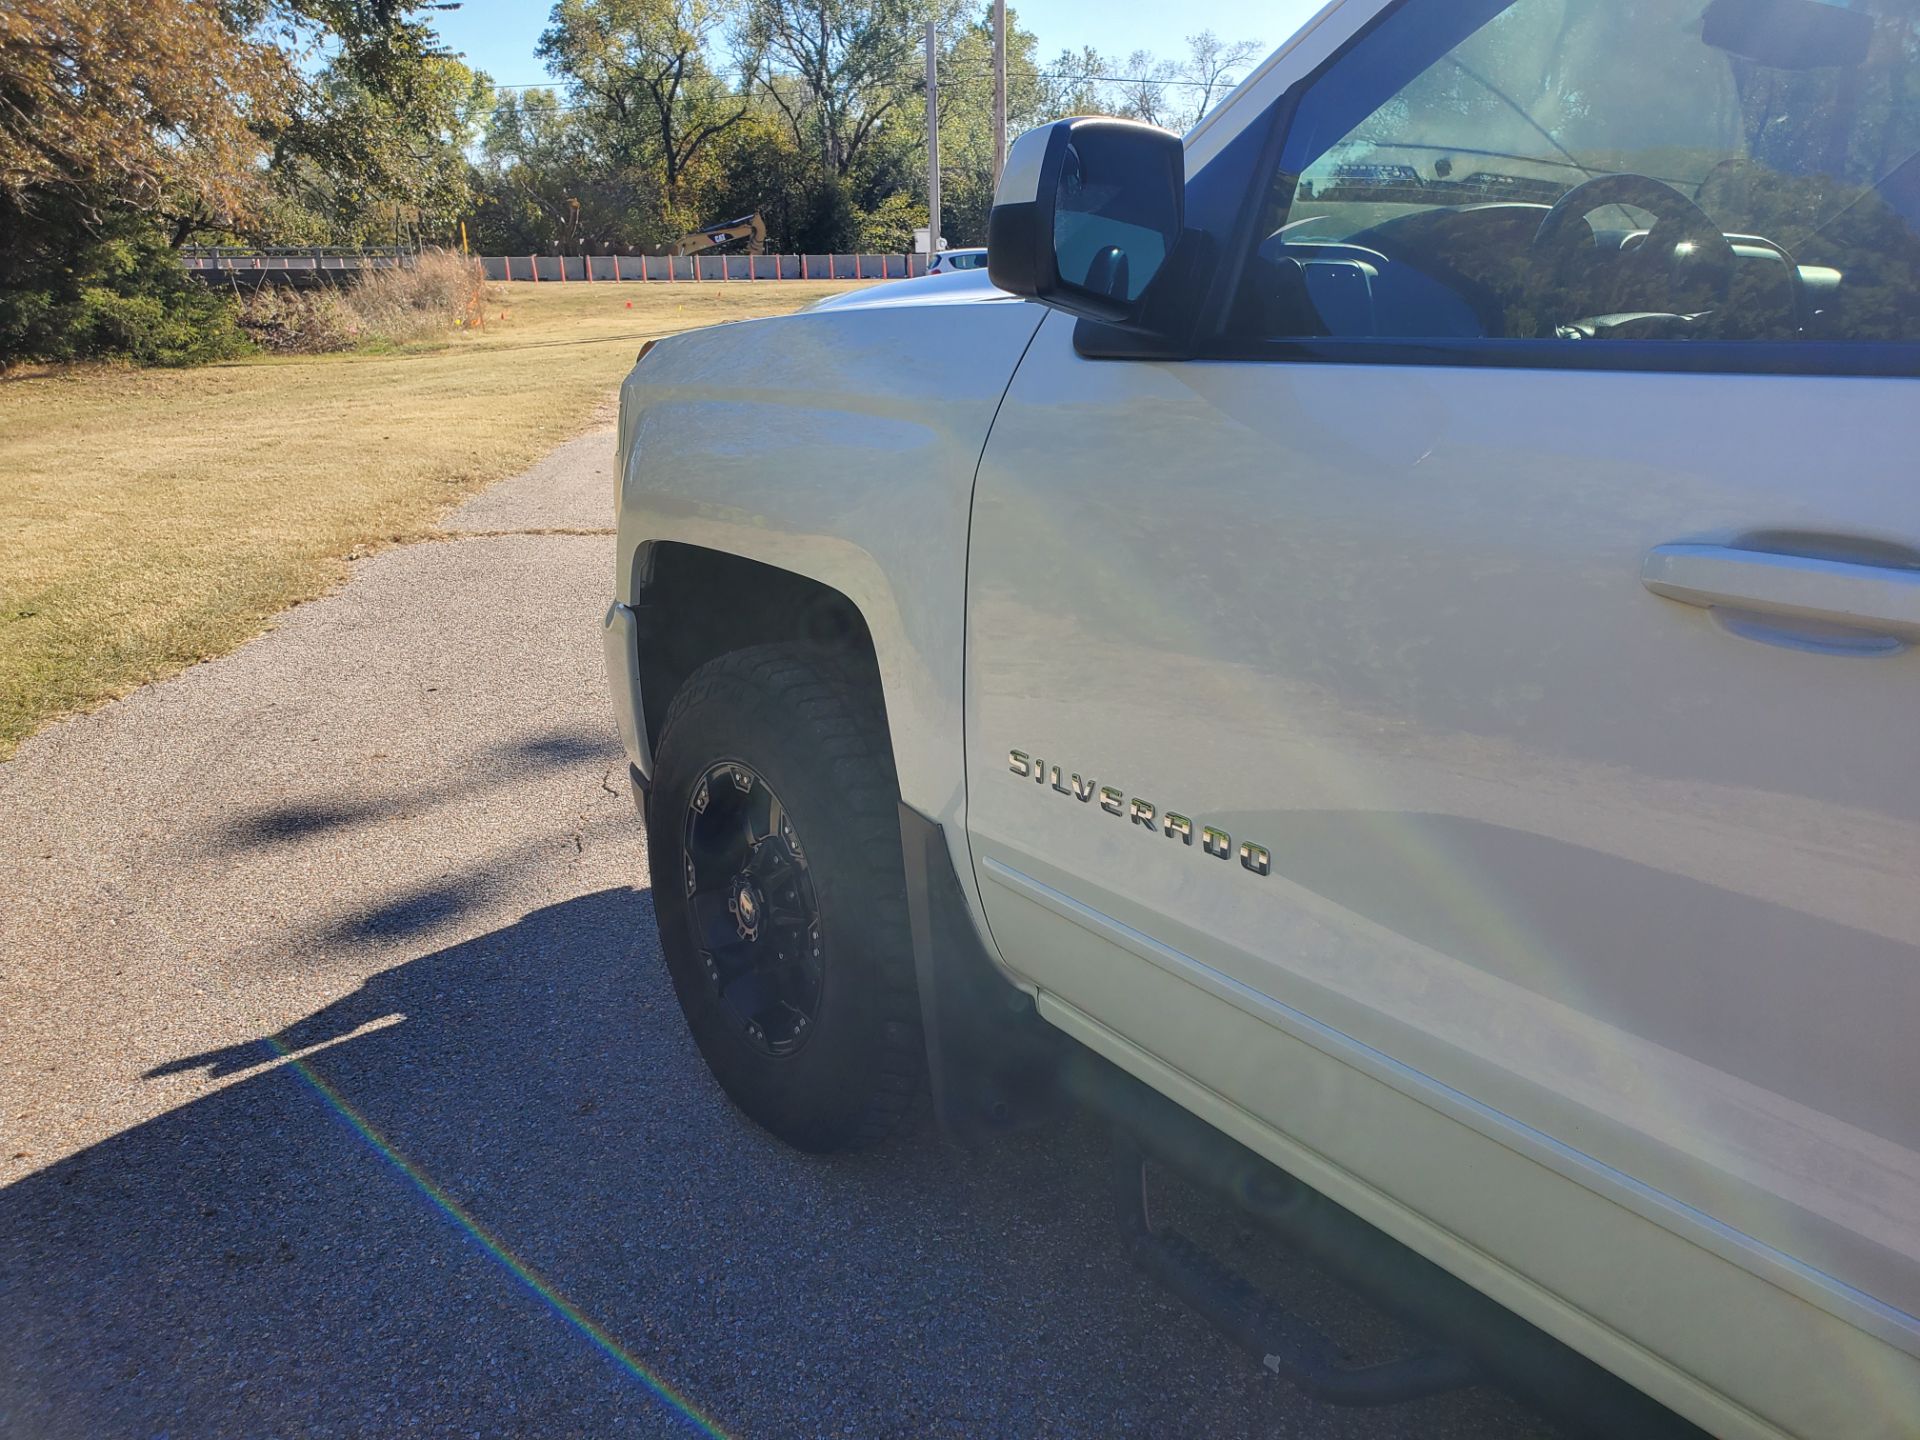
x: 1539, y: 99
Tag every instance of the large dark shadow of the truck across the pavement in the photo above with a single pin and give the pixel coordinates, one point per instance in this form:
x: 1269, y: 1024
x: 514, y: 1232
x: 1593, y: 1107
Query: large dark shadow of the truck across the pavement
x: 492, y: 1191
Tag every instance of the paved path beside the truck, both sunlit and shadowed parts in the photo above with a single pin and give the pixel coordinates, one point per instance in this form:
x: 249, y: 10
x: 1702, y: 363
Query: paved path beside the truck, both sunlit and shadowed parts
x: 343, y: 1092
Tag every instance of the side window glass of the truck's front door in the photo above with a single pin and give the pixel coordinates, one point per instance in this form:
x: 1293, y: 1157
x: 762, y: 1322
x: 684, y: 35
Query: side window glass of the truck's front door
x: 1602, y: 170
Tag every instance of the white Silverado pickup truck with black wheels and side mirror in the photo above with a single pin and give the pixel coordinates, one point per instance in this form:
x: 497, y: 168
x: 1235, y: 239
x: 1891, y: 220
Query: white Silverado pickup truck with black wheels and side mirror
x: 1389, y: 635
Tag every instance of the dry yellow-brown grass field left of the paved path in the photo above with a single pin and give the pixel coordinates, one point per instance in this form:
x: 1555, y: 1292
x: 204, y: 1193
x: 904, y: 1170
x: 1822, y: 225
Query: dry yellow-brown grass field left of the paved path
x: 151, y: 519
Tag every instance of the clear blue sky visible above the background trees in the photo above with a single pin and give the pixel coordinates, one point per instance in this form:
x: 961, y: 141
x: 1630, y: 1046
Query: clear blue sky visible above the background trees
x: 500, y: 36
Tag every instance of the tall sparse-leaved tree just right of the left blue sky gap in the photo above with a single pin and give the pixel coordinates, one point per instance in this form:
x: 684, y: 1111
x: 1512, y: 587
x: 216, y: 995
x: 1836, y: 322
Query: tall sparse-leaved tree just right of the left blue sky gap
x: 642, y: 70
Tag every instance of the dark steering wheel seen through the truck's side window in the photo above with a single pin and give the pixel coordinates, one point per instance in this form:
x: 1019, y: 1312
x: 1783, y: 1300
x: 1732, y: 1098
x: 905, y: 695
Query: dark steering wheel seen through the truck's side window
x: 1677, y: 222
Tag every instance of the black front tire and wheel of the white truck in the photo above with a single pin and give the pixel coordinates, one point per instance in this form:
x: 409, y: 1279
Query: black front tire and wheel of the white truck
x: 775, y: 852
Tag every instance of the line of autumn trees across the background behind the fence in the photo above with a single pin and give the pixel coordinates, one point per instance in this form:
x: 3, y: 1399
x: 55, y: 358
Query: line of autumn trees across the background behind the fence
x: 132, y: 132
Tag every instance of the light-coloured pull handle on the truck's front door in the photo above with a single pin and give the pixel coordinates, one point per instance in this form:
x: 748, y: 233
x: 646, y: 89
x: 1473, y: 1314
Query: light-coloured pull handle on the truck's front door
x: 1871, y: 598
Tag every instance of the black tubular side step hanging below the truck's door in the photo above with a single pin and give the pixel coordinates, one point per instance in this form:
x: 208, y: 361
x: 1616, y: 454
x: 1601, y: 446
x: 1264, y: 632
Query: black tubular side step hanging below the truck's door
x: 1260, y: 1326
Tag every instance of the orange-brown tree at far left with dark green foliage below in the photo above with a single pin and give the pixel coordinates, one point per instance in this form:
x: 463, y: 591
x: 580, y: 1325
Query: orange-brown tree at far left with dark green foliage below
x: 112, y: 120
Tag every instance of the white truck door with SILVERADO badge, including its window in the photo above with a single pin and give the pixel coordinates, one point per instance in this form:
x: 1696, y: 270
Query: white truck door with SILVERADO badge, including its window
x: 1483, y: 675
